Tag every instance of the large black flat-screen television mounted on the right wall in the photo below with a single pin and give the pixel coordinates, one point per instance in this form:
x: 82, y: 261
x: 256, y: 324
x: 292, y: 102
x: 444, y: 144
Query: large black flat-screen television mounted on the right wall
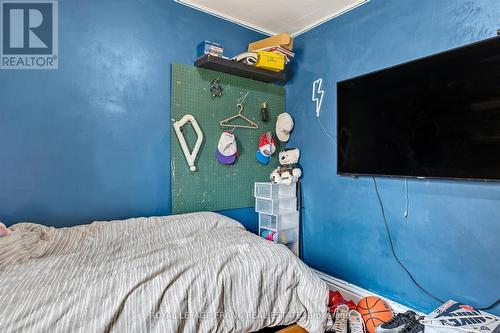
x: 436, y: 117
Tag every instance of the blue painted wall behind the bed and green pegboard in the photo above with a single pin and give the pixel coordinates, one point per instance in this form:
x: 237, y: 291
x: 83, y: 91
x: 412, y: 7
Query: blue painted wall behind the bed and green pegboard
x: 92, y: 139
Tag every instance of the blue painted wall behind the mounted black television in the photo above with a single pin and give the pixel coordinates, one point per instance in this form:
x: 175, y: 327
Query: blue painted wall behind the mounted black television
x: 450, y: 240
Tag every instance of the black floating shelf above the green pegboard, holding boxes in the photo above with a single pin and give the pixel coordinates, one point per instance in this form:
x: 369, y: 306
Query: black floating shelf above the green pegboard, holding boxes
x: 239, y: 69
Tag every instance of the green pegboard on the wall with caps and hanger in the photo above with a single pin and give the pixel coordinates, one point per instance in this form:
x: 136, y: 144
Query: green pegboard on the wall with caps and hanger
x: 215, y: 186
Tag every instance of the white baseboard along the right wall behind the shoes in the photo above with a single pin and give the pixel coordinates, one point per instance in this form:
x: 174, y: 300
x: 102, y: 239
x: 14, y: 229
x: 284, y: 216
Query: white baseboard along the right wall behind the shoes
x: 355, y: 293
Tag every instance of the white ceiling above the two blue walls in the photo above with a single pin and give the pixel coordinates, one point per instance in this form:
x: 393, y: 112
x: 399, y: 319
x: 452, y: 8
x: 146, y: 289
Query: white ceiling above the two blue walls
x: 275, y: 16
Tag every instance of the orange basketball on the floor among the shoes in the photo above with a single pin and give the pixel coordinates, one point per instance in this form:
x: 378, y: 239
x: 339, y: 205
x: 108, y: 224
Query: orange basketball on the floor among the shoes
x: 374, y: 311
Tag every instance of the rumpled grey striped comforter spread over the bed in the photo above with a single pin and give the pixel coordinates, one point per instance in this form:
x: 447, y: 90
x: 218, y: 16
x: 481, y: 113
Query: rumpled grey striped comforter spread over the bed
x: 199, y: 272
